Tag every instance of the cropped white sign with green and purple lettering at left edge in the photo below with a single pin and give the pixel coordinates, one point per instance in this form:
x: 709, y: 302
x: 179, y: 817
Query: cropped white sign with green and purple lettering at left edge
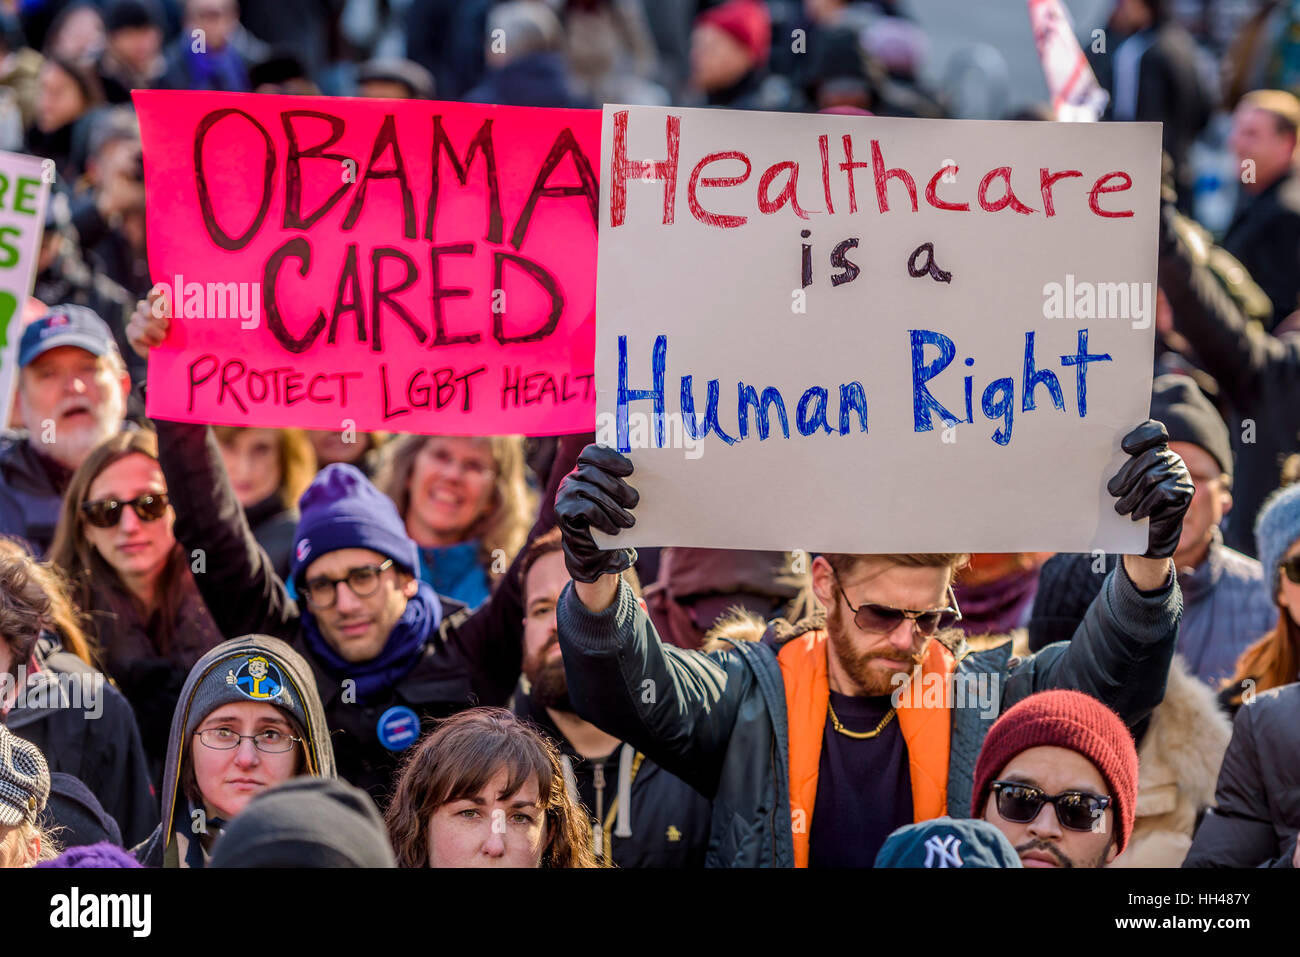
x: 24, y: 193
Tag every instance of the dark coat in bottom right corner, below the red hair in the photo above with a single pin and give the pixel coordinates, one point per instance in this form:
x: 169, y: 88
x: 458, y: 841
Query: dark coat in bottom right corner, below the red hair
x: 1258, y: 813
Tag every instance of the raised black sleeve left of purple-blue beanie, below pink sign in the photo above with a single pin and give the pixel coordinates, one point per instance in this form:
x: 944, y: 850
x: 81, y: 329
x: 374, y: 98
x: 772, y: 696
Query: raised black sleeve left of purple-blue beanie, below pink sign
x: 239, y: 581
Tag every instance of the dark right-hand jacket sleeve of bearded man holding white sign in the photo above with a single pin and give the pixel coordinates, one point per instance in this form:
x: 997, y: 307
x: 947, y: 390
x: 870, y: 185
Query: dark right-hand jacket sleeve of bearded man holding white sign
x: 1121, y: 652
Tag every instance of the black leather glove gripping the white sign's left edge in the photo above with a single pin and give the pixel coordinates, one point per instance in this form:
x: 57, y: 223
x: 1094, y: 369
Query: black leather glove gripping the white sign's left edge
x: 595, y: 496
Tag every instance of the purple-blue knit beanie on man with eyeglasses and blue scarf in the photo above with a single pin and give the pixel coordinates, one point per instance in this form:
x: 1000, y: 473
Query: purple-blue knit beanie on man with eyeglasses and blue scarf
x: 343, y: 510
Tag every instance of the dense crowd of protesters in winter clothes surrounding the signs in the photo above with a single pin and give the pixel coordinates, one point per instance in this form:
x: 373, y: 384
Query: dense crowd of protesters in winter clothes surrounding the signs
x: 250, y: 647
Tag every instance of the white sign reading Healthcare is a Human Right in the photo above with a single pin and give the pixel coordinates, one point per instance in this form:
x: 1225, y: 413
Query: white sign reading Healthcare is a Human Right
x: 778, y: 259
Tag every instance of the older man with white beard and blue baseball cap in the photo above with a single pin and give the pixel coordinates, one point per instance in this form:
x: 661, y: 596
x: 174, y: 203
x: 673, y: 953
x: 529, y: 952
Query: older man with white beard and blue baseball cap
x: 71, y: 396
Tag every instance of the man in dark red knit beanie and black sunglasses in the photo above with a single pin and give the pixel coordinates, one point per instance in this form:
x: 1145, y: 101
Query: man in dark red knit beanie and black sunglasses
x: 1059, y: 777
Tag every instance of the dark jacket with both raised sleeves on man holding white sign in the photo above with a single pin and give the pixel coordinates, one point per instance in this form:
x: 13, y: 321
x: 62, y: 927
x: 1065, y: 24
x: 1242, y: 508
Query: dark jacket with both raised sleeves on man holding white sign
x: 720, y: 722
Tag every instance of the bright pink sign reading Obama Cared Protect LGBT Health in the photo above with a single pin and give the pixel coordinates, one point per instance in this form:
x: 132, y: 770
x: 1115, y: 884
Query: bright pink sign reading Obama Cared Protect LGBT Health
x: 376, y: 265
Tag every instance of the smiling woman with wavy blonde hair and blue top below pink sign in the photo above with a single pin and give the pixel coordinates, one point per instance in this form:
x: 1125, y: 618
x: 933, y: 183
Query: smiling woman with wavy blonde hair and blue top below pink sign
x: 466, y: 504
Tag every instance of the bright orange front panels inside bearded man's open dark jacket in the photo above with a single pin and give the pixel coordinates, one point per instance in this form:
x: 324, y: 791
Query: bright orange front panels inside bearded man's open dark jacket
x: 926, y: 731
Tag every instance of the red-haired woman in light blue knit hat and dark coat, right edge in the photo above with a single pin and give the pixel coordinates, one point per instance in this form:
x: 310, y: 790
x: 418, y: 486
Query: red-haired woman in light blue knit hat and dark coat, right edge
x: 1258, y: 802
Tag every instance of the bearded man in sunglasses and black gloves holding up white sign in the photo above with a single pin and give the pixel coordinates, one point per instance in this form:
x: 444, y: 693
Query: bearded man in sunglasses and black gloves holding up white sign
x: 807, y: 741
